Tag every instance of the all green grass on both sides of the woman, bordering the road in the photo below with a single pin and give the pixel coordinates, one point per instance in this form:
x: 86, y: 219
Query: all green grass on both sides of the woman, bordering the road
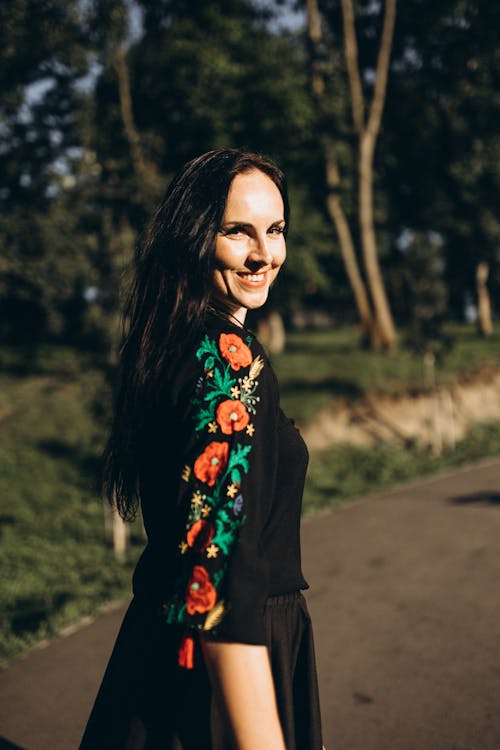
x: 57, y: 564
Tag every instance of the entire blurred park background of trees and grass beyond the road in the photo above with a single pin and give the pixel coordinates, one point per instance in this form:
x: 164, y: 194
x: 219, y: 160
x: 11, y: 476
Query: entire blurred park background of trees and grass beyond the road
x: 382, y: 325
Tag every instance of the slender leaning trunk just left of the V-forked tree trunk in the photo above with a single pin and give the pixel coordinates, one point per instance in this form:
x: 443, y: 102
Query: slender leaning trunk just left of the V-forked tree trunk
x: 332, y: 175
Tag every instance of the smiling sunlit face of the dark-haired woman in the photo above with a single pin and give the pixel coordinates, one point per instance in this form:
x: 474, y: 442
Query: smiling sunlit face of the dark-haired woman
x: 250, y: 247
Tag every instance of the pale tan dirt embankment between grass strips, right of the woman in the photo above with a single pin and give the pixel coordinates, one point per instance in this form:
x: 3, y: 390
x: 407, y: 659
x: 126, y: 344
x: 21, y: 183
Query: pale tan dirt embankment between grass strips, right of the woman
x: 430, y: 419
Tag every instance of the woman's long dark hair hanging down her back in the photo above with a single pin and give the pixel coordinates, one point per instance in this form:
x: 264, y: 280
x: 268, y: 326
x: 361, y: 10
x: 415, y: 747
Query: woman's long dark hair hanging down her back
x: 168, y: 301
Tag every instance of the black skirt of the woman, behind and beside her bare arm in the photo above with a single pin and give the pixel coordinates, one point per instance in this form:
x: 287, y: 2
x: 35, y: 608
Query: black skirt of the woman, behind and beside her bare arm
x: 147, y: 702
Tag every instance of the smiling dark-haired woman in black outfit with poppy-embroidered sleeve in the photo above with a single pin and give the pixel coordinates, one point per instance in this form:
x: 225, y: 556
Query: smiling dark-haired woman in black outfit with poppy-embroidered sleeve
x: 216, y: 647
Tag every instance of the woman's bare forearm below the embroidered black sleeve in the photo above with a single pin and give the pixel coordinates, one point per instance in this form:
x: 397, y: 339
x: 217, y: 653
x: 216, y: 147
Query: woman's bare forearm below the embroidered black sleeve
x: 243, y: 684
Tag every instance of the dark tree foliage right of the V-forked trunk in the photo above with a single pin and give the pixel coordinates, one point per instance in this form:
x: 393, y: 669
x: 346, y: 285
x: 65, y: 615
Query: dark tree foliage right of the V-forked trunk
x: 441, y: 144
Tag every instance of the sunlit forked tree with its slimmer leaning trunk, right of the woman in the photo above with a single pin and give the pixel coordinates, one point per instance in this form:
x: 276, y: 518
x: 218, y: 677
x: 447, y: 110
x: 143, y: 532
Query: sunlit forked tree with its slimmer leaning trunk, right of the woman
x: 373, y: 308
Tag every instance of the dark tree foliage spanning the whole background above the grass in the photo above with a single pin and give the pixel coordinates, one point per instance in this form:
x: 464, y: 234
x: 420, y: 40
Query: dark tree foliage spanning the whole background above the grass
x: 101, y: 102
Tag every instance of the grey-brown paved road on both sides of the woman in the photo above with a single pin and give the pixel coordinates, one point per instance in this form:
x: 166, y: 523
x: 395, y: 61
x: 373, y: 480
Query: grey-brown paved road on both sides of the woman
x: 406, y: 606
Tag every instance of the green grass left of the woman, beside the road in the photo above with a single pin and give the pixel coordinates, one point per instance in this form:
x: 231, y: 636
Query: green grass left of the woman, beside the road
x: 56, y: 563
